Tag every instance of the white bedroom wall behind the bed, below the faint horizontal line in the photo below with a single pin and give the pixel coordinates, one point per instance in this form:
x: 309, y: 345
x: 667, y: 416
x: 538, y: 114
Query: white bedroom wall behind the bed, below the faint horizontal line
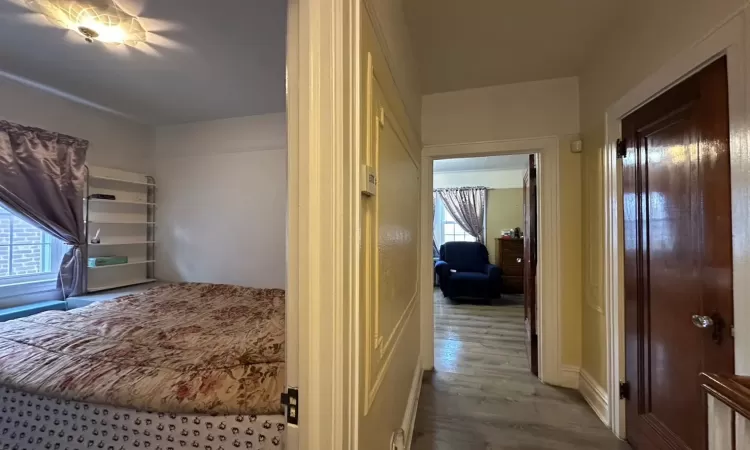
x: 222, y: 201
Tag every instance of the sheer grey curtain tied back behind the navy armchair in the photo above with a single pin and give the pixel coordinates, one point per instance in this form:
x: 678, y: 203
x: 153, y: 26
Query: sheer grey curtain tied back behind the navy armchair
x: 467, y: 206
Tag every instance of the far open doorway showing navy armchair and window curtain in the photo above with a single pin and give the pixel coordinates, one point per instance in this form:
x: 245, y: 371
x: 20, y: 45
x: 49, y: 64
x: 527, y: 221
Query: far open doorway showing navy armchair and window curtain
x: 484, y: 248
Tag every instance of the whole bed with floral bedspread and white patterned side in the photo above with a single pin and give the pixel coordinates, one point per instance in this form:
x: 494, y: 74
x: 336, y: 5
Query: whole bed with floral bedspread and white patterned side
x: 187, y: 365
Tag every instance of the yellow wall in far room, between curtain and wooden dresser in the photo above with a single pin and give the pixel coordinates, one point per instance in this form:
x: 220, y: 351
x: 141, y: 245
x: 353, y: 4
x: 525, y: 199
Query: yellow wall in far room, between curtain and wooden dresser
x: 504, y: 211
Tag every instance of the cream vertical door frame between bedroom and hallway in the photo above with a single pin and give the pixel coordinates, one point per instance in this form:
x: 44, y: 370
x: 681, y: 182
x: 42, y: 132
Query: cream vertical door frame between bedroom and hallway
x: 323, y: 132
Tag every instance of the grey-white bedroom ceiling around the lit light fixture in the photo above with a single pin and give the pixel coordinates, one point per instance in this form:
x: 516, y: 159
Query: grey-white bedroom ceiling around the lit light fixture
x: 204, y: 59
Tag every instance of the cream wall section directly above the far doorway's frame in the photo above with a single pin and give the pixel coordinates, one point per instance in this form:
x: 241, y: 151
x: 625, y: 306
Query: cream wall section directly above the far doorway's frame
x: 511, y: 111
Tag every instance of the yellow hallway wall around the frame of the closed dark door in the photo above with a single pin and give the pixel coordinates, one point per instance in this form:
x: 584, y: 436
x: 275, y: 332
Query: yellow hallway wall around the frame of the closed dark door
x: 656, y: 31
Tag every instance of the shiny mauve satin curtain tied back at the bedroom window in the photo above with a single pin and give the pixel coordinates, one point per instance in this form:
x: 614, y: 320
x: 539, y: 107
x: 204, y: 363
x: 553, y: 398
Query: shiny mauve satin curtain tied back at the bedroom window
x: 42, y: 175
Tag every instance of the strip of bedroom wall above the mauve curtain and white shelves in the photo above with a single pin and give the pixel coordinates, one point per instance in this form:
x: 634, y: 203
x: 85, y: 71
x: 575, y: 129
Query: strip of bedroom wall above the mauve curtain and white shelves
x: 115, y: 142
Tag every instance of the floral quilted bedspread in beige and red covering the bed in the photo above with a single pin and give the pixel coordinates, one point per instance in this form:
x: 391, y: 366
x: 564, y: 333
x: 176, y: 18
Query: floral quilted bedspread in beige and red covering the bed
x: 188, y: 348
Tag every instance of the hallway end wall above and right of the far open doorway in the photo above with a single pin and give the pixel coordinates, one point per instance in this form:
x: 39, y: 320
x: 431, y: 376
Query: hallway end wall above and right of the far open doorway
x: 522, y: 111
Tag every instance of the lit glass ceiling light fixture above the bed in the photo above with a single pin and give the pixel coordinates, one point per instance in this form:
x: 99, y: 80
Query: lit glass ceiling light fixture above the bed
x: 95, y: 20
